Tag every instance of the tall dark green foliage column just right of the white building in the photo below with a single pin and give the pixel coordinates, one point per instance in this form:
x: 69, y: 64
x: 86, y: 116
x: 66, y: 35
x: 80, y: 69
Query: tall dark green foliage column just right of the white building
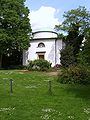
x: 73, y: 43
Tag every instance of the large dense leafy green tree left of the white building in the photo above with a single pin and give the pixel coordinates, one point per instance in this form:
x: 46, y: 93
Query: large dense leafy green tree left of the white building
x: 15, y: 28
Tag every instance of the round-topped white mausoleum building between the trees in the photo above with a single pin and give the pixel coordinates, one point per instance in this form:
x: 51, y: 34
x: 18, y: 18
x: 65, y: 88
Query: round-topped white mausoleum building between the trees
x: 44, y: 45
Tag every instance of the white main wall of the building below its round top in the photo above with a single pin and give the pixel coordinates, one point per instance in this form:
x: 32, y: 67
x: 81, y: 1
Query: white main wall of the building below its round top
x: 49, y: 49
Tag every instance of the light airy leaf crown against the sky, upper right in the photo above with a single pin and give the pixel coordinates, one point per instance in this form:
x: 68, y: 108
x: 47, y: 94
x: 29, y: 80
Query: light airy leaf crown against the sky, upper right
x: 79, y: 16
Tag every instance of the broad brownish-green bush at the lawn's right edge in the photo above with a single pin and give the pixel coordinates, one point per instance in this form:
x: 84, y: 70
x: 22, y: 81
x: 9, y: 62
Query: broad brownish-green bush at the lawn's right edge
x: 74, y: 75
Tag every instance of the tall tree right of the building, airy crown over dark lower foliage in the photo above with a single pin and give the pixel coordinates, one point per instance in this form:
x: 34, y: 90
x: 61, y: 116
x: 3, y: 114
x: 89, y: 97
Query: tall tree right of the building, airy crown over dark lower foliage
x: 76, y: 25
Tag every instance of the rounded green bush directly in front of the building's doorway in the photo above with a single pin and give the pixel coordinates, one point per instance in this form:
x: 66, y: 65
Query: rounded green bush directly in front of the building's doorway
x: 39, y: 64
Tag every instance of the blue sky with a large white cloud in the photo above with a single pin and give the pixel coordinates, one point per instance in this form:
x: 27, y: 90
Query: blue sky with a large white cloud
x: 45, y: 14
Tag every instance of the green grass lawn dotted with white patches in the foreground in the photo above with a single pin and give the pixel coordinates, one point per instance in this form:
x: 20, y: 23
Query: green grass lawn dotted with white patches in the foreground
x: 31, y: 99
